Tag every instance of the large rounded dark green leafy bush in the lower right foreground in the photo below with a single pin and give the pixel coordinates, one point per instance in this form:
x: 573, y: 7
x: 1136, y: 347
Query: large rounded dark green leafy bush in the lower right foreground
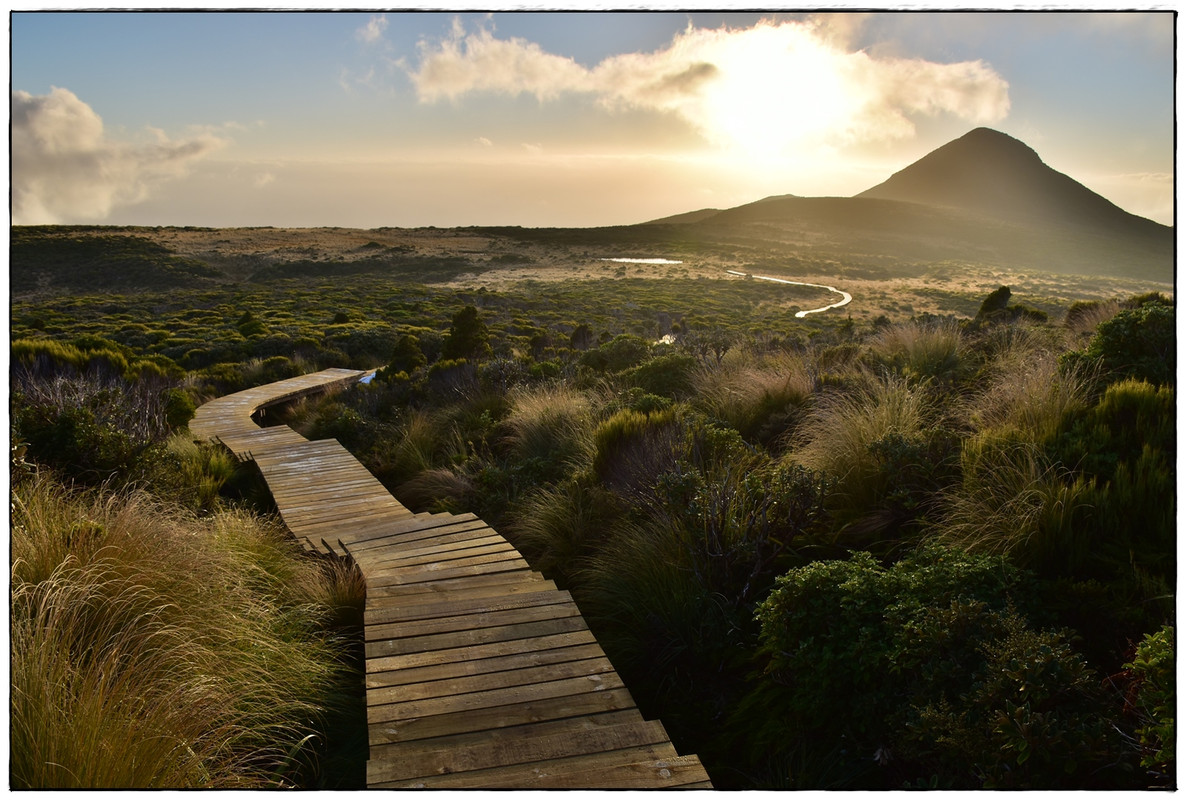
x: 924, y: 668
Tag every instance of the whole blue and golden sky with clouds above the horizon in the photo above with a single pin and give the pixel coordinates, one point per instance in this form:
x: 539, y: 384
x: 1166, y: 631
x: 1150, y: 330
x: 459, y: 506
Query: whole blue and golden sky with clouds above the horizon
x: 372, y: 119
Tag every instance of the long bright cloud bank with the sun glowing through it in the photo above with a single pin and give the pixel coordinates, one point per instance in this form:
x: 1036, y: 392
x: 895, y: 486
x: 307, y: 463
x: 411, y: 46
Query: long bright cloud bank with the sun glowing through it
x: 767, y: 87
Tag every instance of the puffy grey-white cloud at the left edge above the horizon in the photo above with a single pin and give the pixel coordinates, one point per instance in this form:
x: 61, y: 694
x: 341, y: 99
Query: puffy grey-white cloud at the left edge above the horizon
x: 66, y: 170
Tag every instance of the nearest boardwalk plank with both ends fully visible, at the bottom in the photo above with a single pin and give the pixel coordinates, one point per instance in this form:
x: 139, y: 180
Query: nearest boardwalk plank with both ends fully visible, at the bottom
x: 467, y: 752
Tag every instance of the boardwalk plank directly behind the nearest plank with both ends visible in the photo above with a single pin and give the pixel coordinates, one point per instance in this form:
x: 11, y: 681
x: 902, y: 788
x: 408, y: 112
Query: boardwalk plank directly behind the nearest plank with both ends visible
x: 503, y: 716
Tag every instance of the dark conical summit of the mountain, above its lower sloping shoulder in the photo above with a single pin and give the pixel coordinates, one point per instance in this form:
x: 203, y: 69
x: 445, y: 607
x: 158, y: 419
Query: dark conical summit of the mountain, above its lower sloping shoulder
x: 987, y: 172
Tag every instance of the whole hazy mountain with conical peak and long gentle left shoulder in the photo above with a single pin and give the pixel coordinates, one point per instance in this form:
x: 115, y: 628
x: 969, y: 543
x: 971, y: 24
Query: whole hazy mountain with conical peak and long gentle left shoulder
x: 985, y: 197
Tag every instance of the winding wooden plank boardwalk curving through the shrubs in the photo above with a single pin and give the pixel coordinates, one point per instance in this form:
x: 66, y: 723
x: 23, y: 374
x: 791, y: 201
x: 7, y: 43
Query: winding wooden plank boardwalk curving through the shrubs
x: 480, y: 673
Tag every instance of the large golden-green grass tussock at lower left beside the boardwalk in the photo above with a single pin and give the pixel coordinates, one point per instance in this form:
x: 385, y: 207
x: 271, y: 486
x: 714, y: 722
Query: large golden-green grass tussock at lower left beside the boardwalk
x: 152, y: 649
